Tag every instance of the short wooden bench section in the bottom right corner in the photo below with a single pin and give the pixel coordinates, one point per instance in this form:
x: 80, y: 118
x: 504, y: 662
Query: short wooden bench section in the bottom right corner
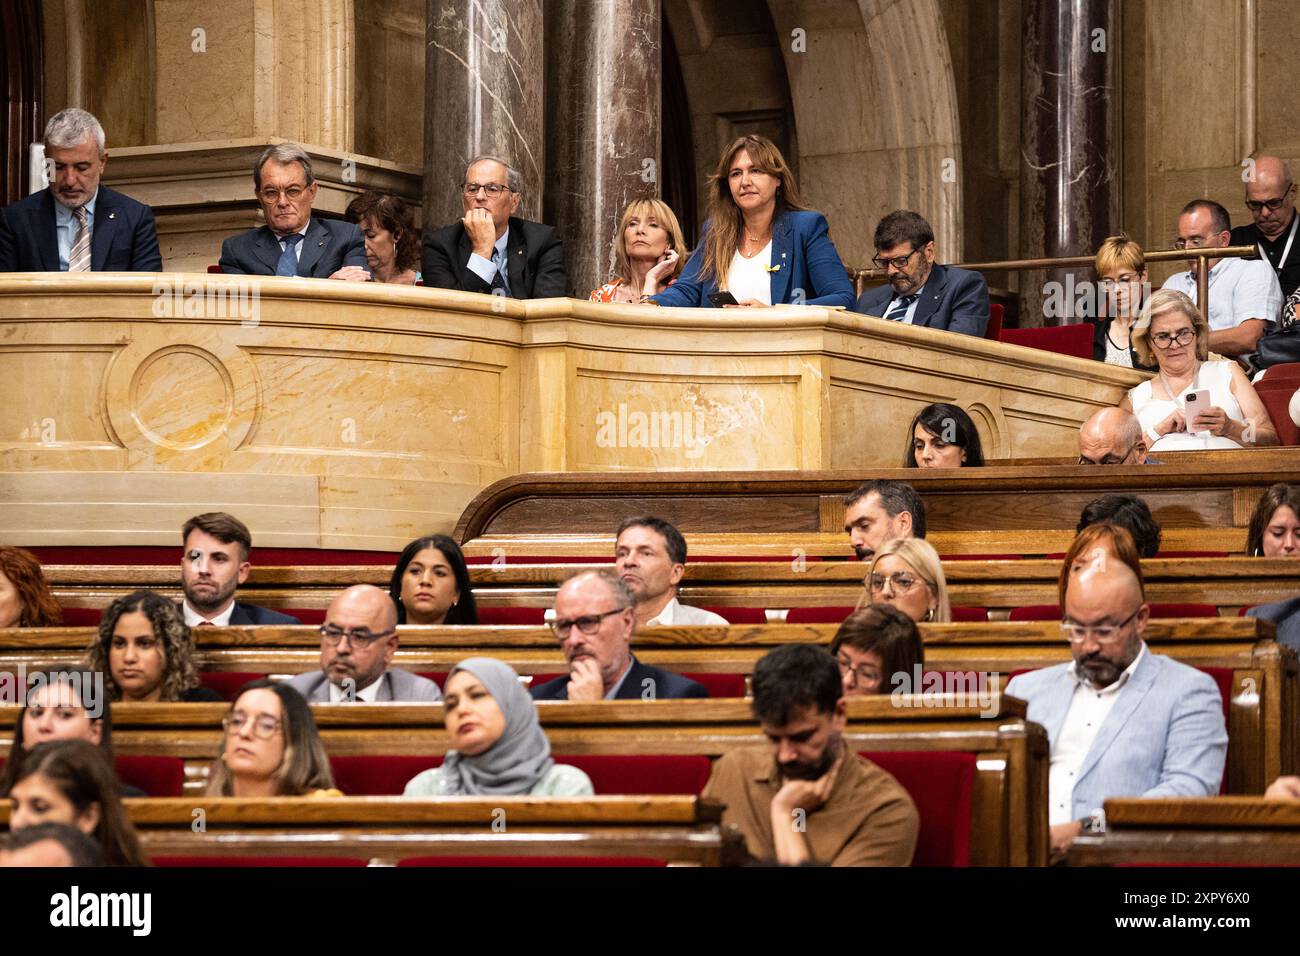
x: 1215, y: 832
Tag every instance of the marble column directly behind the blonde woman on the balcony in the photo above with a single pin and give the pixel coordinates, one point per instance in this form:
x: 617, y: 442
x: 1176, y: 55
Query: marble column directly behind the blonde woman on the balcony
x: 603, y: 146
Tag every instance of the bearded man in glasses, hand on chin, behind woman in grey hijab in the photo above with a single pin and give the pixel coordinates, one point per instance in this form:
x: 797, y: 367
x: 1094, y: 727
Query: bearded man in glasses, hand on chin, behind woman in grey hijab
x: 595, y: 620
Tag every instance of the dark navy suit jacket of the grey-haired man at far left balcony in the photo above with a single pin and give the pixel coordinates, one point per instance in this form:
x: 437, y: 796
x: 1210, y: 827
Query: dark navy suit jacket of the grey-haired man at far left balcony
x: 123, y: 239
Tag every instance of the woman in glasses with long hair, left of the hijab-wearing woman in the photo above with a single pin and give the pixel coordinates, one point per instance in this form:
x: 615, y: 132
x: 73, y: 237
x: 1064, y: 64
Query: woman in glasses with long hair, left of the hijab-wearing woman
x: 271, y: 747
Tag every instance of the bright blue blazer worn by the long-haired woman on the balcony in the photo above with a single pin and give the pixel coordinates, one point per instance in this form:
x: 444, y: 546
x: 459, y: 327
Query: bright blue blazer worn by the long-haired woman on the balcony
x: 803, y: 258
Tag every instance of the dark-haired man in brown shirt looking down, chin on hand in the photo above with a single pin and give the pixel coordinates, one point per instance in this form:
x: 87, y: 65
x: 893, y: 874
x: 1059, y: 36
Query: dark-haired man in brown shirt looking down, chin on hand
x: 808, y: 799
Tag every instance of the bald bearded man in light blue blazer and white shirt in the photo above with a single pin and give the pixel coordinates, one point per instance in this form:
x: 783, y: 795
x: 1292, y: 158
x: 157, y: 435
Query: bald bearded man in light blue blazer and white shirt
x: 1121, y: 720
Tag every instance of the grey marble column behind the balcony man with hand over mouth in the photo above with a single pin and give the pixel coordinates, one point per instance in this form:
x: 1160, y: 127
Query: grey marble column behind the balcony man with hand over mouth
x: 484, y: 94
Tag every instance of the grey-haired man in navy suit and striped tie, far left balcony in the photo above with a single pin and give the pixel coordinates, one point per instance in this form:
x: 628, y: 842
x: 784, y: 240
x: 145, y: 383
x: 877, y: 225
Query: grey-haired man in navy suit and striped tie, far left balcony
x: 75, y: 224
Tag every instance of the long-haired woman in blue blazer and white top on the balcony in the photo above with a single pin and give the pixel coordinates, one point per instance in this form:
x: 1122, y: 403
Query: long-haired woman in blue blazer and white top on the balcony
x: 761, y: 244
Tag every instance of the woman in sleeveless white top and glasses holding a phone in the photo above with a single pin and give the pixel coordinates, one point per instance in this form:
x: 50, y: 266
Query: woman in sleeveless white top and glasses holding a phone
x: 1173, y: 334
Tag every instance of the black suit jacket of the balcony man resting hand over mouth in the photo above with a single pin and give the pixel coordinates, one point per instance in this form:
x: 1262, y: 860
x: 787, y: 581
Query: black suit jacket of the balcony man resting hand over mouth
x: 535, y: 269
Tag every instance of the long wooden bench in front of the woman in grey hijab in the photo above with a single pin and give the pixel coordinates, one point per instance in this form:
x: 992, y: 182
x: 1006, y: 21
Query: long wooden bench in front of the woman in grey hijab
x: 387, y: 830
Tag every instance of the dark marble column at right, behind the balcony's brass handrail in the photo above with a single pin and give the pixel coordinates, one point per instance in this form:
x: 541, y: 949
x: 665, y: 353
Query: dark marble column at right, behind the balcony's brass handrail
x: 1071, y: 141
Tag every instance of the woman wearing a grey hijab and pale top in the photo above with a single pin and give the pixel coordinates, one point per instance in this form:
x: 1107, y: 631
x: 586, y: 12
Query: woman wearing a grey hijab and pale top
x: 499, y: 745
